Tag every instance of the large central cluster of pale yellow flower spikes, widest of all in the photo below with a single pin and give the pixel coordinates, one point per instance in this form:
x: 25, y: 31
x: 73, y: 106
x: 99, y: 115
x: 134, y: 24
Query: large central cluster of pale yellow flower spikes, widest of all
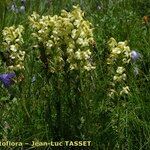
x: 69, y: 31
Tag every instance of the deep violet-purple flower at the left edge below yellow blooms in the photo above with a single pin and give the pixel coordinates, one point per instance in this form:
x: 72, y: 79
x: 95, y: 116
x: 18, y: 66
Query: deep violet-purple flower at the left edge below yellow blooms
x: 7, y: 78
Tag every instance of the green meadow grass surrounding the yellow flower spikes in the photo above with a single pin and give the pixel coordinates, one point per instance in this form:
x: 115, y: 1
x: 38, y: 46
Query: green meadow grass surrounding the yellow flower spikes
x: 76, y: 106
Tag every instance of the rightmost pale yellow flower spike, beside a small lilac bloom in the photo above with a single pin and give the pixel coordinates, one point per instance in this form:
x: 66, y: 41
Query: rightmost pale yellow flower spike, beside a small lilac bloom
x: 120, y: 54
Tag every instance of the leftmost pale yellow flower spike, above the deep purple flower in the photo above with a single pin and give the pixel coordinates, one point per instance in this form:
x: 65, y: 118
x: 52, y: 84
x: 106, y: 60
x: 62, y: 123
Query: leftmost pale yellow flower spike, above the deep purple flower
x: 12, y: 38
